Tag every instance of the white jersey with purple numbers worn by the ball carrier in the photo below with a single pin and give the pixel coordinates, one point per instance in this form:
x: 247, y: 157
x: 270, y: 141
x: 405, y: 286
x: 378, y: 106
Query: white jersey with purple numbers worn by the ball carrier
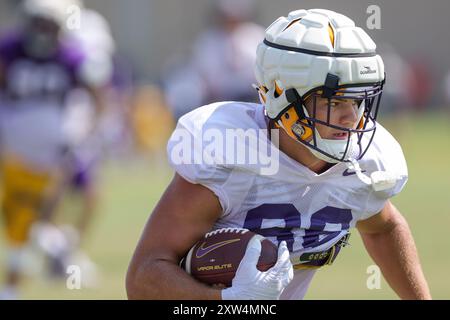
x: 310, y: 211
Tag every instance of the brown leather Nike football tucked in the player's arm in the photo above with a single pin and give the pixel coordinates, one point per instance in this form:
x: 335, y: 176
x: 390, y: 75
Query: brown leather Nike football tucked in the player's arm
x: 215, y: 258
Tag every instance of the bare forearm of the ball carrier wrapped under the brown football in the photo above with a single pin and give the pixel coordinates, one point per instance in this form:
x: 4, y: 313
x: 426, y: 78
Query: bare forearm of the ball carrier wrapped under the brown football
x: 164, y: 280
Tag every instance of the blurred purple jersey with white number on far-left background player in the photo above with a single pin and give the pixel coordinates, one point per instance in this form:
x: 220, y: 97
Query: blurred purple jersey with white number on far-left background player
x: 29, y: 78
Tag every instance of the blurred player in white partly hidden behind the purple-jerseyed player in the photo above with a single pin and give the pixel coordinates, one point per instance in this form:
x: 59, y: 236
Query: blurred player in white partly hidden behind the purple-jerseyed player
x: 84, y: 129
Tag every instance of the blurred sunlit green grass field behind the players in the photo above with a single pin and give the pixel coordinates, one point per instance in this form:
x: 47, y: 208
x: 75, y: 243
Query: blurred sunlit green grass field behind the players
x: 130, y: 190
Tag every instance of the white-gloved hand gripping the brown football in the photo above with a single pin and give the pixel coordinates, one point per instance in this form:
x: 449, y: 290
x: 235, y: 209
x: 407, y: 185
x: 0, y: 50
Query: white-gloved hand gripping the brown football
x: 251, y: 284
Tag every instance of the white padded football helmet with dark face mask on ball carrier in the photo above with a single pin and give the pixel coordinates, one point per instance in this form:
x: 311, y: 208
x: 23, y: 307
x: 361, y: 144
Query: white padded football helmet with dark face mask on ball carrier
x: 320, y: 53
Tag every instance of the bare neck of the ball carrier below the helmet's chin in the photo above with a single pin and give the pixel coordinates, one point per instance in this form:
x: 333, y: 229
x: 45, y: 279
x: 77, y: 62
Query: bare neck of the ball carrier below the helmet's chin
x: 301, y: 154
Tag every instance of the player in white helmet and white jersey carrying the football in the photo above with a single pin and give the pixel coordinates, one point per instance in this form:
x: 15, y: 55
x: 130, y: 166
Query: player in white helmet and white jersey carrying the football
x: 320, y: 84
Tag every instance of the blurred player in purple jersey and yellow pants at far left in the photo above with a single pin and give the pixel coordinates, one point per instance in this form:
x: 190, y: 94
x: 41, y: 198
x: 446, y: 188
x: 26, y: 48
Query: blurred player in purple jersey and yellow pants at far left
x: 38, y: 69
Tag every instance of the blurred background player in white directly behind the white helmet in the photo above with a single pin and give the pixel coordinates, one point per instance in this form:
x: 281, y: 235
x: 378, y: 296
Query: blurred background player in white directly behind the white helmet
x: 220, y: 67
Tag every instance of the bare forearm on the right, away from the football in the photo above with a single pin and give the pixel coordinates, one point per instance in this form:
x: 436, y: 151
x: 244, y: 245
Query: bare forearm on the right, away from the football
x: 395, y: 253
